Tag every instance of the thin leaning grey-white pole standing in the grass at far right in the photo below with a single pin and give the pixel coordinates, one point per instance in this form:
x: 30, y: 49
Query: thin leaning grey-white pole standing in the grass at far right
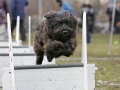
x: 112, y: 28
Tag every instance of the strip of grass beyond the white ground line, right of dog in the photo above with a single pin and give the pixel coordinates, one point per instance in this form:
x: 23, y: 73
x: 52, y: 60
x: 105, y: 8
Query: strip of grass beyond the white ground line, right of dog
x: 99, y: 46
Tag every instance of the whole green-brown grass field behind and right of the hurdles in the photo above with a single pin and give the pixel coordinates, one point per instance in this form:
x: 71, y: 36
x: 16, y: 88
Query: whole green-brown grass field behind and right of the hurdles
x: 108, y: 73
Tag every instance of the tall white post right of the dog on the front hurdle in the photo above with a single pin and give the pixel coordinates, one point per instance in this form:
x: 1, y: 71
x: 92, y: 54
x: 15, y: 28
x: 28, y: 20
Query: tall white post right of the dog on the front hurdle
x: 84, y: 52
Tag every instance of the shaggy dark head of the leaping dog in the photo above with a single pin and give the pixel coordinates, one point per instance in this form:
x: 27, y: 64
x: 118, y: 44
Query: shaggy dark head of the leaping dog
x: 60, y: 25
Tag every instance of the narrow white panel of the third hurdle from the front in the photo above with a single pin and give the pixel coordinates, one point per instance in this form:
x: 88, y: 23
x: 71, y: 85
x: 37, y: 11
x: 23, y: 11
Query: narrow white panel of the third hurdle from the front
x: 17, y: 50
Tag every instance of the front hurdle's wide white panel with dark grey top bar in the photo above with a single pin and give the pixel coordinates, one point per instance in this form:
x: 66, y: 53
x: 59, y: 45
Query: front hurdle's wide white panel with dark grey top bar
x: 49, y: 77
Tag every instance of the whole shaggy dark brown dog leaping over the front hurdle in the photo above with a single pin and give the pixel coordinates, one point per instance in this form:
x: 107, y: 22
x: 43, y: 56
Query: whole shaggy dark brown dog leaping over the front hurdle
x: 55, y: 36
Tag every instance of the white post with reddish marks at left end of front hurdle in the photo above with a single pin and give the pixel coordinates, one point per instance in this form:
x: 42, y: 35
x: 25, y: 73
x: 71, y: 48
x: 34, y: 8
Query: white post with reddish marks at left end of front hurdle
x: 11, y: 62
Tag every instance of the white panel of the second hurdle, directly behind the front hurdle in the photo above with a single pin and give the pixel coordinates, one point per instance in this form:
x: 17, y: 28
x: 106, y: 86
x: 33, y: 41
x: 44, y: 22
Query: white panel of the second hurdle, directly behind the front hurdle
x: 19, y: 60
